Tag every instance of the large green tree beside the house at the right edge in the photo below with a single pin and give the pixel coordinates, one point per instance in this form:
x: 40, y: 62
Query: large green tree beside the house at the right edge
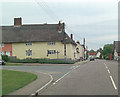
x: 107, y: 50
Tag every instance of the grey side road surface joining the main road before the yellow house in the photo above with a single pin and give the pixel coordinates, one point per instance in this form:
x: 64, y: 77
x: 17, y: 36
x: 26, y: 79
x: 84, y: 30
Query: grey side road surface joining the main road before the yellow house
x: 56, y: 71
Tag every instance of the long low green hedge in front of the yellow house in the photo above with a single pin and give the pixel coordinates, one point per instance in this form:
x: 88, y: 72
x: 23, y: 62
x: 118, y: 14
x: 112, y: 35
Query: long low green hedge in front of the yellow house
x: 48, y: 61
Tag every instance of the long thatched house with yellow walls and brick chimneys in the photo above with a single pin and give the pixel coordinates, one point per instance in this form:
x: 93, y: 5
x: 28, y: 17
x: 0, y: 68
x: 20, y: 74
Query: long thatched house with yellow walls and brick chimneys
x: 38, y: 41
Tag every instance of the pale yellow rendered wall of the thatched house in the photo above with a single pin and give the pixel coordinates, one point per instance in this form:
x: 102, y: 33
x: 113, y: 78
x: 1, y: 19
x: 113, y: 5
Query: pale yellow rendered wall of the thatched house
x: 39, y: 50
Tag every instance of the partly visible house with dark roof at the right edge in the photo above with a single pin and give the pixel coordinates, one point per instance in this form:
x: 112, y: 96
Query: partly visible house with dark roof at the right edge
x: 116, y: 50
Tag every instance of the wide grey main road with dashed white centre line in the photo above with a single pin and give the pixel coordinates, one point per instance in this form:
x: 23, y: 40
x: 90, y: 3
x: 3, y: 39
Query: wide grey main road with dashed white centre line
x: 97, y: 77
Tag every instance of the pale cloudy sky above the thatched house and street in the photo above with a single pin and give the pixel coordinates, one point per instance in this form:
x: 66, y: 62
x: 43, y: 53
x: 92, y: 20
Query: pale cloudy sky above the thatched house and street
x: 94, y: 20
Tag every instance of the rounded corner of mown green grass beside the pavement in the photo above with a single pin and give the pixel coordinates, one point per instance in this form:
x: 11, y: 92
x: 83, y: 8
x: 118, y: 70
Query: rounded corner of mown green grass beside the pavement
x: 13, y: 80
